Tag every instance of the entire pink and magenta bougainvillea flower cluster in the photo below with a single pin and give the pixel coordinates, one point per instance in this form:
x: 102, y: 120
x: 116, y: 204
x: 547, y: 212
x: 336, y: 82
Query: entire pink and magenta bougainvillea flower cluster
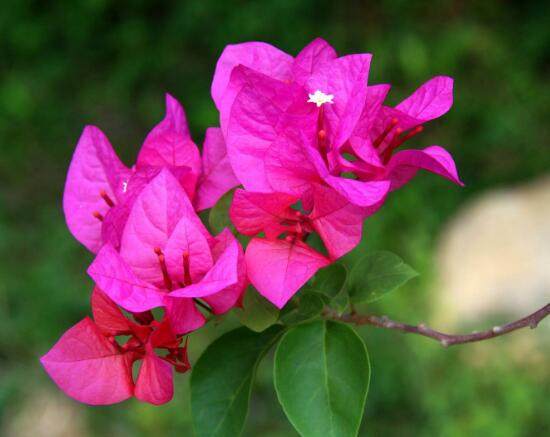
x: 314, y: 149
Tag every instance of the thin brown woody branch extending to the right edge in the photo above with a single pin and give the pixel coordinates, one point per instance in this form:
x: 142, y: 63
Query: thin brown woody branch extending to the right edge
x: 445, y: 340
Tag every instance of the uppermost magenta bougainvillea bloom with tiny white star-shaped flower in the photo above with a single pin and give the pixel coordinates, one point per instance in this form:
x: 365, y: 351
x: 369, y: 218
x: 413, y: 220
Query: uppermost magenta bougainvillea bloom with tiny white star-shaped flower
x: 320, y: 123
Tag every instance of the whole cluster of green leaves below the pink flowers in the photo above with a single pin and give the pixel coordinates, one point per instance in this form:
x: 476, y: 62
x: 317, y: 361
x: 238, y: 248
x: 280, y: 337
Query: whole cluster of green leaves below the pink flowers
x: 321, y: 368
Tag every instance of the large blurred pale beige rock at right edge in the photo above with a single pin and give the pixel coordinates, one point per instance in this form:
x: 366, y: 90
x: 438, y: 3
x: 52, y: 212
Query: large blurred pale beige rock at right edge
x: 493, y: 258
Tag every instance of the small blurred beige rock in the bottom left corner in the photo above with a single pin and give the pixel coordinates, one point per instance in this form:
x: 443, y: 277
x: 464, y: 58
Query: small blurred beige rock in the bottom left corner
x: 46, y: 413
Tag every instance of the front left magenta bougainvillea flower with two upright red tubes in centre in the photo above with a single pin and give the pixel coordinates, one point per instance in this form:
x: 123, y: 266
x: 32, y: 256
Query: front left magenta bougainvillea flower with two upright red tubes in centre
x: 168, y: 259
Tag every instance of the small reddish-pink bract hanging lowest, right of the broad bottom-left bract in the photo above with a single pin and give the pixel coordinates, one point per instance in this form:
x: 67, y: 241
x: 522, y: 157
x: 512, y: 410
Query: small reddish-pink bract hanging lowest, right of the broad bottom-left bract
x: 154, y: 383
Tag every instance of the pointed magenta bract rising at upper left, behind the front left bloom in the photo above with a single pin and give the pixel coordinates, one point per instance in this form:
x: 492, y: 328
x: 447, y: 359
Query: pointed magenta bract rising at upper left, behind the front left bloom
x: 169, y: 143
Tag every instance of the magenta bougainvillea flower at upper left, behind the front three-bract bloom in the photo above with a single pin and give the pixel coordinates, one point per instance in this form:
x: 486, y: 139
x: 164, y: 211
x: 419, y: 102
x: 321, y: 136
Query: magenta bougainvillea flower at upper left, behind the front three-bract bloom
x: 98, y: 182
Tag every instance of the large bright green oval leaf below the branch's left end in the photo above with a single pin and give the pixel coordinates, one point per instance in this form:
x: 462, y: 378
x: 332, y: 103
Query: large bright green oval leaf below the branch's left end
x: 322, y: 374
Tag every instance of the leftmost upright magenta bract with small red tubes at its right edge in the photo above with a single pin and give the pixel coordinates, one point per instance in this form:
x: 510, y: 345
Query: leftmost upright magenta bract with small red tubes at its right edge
x: 95, y: 174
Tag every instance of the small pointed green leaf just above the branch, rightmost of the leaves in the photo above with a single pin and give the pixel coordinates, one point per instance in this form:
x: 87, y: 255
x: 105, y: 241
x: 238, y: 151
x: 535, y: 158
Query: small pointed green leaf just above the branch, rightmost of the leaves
x: 377, y: 274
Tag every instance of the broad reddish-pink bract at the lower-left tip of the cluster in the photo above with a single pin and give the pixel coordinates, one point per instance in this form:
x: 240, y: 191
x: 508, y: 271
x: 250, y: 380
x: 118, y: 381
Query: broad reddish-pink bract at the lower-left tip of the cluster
x: 88, y: 367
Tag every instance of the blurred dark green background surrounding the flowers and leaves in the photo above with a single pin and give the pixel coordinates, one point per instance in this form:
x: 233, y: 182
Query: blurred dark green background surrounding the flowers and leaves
x: 64, y: 64
